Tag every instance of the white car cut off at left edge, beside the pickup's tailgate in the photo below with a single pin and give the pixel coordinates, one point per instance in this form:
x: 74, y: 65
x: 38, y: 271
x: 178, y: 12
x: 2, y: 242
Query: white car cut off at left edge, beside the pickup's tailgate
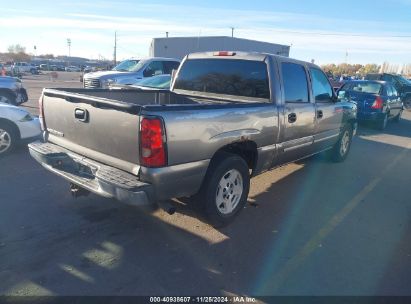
x: 16, y: 126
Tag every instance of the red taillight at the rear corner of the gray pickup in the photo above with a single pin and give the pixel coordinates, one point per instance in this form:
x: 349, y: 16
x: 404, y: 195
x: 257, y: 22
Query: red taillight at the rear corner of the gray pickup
x: 152, y: 143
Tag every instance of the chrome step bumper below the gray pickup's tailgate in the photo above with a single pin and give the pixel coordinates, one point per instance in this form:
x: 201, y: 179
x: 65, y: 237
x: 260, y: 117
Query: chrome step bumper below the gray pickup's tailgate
x: 97, y: 178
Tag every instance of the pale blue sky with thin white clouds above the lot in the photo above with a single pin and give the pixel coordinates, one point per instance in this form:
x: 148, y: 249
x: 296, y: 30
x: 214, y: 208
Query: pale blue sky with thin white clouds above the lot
x: 369, y: 31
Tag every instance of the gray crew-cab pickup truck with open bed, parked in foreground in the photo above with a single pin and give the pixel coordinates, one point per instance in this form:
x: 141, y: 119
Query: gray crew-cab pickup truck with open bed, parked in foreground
x: 228, y: 116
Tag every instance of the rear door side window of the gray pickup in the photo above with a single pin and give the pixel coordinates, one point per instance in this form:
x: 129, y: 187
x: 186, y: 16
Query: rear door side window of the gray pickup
x: 295, y: 82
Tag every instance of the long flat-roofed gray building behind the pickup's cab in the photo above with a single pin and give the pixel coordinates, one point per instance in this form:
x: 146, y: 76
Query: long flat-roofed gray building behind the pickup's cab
x: 178, y: 47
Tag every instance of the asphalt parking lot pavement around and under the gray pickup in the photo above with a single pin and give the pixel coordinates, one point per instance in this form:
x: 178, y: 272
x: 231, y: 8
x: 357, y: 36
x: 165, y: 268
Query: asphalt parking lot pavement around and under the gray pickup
x: 310, y: 228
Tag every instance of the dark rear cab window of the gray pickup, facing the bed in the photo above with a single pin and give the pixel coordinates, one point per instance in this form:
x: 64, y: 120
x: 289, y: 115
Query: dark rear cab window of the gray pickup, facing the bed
x: 241, y: 78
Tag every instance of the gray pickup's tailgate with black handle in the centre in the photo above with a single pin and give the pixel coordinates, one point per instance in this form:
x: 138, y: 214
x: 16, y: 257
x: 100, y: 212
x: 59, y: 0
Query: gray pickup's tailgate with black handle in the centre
x: 103, y: 131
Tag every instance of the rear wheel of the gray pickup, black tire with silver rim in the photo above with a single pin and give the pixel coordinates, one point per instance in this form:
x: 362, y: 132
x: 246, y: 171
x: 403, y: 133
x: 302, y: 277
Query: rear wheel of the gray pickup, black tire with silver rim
x: 220, y: 170
